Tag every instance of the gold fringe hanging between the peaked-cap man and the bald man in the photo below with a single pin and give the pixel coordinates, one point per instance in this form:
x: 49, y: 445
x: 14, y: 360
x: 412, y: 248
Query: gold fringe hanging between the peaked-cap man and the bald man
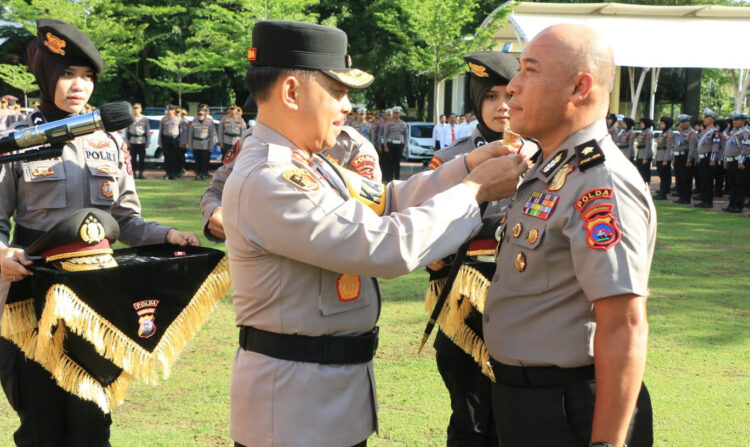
x: 469, y: 290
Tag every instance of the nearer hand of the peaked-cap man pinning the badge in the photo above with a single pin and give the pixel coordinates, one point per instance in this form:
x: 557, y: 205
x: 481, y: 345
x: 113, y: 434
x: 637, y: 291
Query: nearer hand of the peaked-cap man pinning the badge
x: 496, y: 178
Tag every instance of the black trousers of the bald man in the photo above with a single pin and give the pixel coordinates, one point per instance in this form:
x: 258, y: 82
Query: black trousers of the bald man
x: 560, y: 416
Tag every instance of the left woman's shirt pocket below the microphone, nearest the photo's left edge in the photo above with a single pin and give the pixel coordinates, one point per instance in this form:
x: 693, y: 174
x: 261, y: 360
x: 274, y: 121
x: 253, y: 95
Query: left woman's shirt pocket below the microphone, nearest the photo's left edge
x: 45, y: 184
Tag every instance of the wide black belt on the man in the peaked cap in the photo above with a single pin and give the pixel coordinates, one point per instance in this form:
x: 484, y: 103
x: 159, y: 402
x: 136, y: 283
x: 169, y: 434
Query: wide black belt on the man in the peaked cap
x: 324, y: 349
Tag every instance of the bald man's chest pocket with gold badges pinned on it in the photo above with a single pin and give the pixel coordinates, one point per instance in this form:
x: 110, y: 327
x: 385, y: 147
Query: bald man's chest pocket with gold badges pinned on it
x: 523, y: 261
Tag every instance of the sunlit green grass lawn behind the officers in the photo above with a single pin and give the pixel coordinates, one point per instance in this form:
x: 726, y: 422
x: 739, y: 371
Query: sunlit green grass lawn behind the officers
x: 698, y: 367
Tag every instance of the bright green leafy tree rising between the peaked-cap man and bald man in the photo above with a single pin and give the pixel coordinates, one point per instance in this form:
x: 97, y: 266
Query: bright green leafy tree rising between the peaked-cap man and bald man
x: 437, y: 34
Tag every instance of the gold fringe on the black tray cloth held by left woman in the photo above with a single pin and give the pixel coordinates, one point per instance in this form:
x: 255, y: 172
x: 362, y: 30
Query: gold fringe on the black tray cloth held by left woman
x: 64, y: 311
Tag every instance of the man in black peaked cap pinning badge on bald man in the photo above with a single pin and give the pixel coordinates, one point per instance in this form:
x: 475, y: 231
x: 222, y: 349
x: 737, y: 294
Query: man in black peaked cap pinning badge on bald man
x: 302, y: 268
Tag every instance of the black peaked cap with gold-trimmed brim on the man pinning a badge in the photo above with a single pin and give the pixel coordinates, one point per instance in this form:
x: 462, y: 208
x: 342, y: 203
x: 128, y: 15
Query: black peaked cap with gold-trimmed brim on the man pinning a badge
x: 307, y: 46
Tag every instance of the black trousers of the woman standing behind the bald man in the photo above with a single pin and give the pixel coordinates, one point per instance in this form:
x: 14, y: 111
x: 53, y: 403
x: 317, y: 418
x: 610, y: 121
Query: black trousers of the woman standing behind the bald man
x: 471, y: 423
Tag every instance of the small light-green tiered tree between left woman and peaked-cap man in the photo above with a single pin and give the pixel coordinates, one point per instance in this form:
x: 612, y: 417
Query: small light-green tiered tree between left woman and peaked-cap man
x: 179, y: 66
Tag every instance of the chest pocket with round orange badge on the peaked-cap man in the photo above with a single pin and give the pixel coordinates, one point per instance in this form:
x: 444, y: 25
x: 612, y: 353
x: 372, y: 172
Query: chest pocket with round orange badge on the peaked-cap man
x: 341, y: 292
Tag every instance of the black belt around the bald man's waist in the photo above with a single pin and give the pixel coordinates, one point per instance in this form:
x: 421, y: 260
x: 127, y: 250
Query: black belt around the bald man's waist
x: 539, y: 376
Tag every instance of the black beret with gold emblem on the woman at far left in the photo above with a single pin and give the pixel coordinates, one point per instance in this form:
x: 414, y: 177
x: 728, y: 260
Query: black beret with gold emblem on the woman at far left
x: 66, y: 43
